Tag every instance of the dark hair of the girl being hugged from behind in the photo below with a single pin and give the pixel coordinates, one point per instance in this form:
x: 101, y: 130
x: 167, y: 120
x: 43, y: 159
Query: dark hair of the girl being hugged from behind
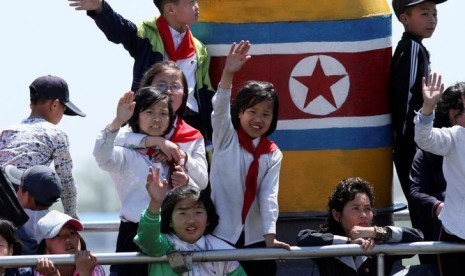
x: 144, y: 98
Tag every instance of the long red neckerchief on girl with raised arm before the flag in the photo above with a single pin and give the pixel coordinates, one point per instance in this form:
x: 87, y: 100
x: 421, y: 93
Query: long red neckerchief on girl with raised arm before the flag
x: 264, y: 146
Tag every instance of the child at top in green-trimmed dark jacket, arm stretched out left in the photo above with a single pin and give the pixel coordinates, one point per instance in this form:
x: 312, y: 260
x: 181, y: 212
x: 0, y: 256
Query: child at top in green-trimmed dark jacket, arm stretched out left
x: 167, y: 37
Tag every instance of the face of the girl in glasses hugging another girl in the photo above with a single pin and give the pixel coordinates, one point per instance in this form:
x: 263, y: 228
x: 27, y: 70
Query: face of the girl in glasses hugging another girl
x: 169, y: 79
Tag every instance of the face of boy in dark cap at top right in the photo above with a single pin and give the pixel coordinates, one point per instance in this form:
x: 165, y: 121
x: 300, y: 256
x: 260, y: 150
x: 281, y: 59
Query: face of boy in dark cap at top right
x: 422, y: 19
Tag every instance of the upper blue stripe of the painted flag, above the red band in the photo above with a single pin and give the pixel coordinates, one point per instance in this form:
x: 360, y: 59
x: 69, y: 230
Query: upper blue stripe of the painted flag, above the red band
x: 286, y: 32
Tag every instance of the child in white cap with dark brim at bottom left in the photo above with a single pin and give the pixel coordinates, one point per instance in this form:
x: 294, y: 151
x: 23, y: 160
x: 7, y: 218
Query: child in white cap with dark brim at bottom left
x: 60, y: 236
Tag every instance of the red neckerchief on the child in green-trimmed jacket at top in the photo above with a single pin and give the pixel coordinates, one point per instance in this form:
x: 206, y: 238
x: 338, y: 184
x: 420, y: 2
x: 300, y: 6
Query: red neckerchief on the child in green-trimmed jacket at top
x: 186, y: 47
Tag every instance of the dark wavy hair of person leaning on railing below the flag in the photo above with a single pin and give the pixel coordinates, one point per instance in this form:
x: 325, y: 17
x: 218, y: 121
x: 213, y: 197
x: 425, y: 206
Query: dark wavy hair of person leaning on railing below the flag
x: 344, y: 192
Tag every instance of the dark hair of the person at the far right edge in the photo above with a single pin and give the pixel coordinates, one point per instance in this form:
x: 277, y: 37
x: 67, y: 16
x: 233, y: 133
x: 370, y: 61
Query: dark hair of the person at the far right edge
x: 451, y: 99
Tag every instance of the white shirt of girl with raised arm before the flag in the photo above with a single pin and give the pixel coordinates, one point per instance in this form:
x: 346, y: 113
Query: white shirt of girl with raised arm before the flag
x: 227, y: 179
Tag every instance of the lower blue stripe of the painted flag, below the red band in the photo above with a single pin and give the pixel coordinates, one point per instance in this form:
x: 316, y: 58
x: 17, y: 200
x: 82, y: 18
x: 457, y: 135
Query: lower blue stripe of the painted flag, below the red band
x: 333, y: 138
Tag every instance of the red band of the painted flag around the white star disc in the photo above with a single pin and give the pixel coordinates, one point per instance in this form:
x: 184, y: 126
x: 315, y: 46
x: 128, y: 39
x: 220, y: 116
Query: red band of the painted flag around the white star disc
x: 368, y: 73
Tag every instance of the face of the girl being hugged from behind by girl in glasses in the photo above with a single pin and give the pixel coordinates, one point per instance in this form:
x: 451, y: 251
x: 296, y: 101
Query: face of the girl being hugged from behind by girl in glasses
x: 154, y: 121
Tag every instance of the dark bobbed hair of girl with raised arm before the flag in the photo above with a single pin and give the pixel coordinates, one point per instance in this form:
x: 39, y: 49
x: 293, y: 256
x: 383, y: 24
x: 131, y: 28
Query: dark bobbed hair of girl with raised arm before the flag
x: 252, y: 93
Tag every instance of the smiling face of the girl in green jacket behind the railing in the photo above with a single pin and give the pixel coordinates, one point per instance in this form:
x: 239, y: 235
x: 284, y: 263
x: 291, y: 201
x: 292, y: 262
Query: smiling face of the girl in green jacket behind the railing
x: 189, y: 220
